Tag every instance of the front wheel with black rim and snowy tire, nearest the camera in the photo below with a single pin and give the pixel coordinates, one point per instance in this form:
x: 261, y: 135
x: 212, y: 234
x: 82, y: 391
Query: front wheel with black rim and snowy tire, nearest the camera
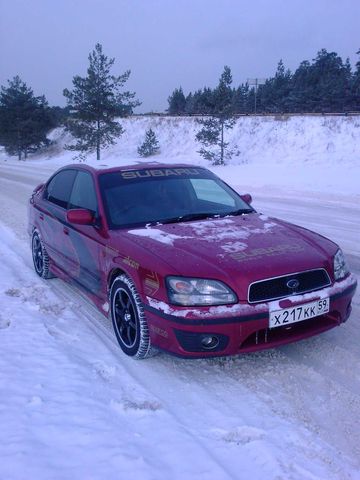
x: 128, y: 318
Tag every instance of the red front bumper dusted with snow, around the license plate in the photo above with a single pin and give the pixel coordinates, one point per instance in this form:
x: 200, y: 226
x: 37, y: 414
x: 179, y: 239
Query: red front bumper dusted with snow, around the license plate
x: 242, y: 327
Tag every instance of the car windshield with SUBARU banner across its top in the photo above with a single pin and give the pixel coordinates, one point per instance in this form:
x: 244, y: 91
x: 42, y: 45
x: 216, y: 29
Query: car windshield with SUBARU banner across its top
x: 139, y: 197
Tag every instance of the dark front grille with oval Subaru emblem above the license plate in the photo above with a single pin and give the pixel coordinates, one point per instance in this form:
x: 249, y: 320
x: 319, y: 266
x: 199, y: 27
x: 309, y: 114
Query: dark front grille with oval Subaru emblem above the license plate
x: 275, y: 288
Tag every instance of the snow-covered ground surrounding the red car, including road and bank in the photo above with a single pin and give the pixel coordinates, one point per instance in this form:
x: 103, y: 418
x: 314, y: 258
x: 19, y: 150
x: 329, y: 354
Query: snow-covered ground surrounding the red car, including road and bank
x: 73, y: 406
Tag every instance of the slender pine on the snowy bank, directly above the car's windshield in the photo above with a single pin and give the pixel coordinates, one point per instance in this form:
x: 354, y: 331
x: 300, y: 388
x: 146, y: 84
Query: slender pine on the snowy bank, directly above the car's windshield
x: 212, y: 133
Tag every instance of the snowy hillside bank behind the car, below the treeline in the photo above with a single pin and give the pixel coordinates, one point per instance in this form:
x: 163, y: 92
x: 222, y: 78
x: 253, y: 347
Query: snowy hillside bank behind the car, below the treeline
x: 320, y: 153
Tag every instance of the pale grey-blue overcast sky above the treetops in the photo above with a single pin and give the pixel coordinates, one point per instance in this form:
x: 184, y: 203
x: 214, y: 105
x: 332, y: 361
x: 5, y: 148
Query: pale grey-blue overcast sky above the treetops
x: 168, y: 43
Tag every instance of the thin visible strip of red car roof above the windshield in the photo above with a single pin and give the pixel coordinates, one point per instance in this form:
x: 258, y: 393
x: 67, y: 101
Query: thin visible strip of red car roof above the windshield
x: 104, y: 168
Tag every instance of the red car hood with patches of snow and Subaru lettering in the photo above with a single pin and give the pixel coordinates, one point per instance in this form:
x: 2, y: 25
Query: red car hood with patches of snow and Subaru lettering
x: 236, y: 249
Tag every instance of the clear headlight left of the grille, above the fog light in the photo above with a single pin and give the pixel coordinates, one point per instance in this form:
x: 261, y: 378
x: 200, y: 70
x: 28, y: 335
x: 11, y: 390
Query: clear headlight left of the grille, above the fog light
x: 198, y: 291
